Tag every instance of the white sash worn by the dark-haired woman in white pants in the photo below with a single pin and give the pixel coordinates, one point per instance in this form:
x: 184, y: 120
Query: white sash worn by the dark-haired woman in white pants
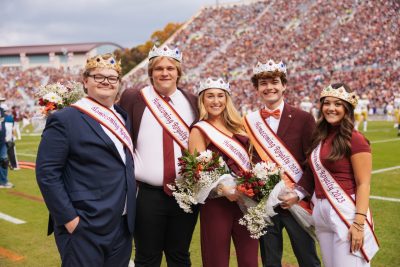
x: 344, y: 206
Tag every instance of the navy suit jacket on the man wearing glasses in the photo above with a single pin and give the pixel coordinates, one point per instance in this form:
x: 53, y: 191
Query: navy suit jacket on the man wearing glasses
x: 80, y: 172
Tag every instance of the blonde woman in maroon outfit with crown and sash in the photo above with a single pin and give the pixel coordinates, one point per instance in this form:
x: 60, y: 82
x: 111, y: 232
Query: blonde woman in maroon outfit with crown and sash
x: 220, y: 130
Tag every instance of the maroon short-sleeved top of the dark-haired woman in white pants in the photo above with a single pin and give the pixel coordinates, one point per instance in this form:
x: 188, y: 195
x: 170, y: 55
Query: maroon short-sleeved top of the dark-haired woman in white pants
x: 341, y: 170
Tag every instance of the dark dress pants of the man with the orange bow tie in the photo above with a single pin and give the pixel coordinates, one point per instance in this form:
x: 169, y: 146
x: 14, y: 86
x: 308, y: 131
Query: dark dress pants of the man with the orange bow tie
x: 303, y: 245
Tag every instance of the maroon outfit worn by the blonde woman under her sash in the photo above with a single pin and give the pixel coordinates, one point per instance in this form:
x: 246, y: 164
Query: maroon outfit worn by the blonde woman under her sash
x: 219, y: 222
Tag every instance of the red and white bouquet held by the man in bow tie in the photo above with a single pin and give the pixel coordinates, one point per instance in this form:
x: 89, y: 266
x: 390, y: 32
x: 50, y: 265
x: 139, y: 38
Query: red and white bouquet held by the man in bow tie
x: 256, y: 186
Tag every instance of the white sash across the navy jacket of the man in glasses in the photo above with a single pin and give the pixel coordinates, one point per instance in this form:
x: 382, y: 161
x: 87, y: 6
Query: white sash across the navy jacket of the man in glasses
x: 107, y: 118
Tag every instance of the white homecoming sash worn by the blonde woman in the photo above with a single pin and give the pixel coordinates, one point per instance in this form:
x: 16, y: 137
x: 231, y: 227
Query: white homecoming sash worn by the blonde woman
x: 229, y: 146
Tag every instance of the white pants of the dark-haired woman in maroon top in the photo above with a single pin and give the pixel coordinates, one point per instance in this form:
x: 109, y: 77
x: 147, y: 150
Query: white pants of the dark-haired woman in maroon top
x: 335, y: 250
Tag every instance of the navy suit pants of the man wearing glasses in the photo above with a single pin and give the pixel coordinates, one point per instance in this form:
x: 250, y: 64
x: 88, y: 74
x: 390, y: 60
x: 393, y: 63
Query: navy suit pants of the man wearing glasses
x: 85, y: 248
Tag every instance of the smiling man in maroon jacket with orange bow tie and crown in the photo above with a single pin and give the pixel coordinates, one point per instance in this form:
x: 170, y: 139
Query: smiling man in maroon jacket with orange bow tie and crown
x: 281, y: 133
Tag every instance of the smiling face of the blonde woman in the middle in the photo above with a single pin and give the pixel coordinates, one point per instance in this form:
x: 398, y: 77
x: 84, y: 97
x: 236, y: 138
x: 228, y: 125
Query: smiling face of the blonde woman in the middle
x: 214, y: 101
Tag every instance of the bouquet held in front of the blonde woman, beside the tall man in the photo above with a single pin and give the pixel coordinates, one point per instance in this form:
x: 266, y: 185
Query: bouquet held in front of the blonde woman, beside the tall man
x: 199, y: 174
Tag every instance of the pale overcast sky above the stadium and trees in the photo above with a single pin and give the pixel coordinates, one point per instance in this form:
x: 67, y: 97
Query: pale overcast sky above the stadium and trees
x: 125, y: 22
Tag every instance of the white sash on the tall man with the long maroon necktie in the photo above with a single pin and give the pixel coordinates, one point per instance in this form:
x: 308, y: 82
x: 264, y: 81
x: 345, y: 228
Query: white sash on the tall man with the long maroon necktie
x: 166, y: 115
